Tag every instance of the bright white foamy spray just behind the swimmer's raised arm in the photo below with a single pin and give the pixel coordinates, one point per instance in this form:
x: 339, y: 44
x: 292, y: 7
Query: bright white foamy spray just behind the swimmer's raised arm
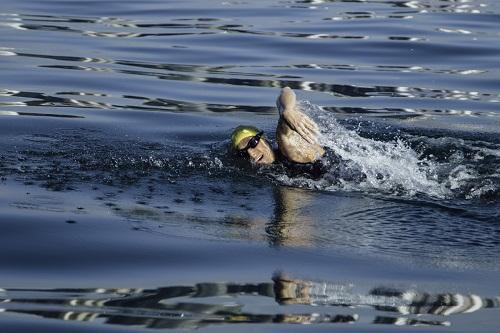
x: 388, y: 166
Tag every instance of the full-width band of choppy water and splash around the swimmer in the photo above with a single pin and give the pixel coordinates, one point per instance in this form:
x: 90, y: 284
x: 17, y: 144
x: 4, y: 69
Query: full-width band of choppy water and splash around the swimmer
x: 363, y: 159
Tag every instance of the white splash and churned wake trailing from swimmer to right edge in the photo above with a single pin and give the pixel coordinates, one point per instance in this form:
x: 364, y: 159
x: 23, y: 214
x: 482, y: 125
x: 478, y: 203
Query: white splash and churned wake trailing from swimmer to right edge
x: 396, y: 166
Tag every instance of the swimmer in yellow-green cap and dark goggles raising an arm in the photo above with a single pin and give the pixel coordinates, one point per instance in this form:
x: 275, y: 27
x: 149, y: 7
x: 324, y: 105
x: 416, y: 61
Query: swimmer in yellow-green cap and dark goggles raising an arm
x: 296, y: 134
